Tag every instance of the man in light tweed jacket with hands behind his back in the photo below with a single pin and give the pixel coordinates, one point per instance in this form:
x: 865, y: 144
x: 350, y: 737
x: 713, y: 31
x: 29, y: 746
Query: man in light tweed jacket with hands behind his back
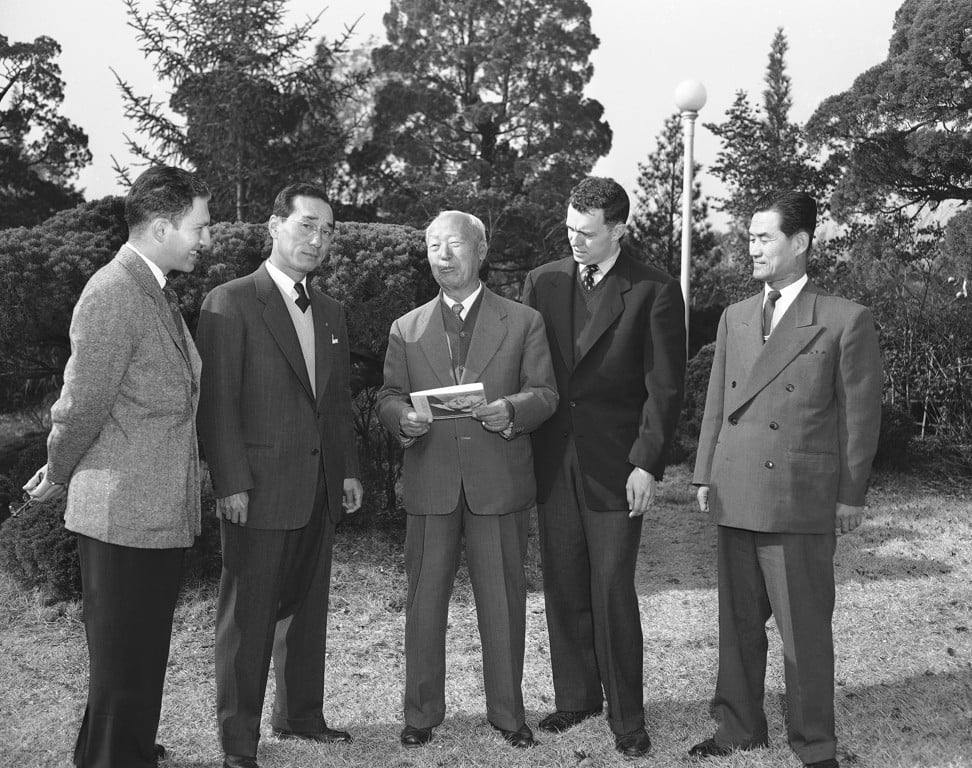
x: 123, y: 447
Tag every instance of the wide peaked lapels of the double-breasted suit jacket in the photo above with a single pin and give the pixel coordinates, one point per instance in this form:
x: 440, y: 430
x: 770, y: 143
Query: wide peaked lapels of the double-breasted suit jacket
x: 794, y: 331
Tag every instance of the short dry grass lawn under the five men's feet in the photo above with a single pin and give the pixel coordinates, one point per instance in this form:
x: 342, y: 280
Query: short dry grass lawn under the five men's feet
x: 903, y: 629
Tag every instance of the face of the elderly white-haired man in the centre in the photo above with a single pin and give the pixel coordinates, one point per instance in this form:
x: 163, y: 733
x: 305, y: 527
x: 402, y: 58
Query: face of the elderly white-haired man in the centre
x: 456, y: 254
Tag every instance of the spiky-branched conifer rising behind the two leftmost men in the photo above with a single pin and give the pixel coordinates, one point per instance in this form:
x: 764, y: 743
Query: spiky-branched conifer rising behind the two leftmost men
x: 255, y: 113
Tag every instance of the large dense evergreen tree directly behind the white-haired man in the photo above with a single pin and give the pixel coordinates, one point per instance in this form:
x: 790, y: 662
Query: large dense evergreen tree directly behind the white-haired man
x: 480, y: 106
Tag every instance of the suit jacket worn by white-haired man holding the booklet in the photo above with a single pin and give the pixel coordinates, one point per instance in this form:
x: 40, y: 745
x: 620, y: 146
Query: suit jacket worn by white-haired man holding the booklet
x: 508, y: 353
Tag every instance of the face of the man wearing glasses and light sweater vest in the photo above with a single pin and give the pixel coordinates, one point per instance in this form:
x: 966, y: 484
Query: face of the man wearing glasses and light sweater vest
x: 302, y: 239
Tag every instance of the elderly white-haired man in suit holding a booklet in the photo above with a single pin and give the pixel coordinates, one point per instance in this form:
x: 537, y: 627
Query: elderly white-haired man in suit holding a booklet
x: 466, y: 476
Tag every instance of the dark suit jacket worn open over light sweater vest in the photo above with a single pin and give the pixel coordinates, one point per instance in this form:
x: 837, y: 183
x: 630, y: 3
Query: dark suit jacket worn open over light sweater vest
x: 262, y: 429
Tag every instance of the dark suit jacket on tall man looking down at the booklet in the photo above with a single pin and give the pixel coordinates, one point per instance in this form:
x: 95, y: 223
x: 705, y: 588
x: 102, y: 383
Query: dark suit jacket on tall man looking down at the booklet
x: 620, y: 397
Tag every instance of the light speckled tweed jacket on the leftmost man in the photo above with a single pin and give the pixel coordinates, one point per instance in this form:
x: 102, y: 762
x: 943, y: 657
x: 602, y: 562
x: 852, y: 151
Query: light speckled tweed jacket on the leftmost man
x: 123, y: 429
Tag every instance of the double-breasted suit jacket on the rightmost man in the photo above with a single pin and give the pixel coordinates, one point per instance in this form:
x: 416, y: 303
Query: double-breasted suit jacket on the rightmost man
x: 790, y: 427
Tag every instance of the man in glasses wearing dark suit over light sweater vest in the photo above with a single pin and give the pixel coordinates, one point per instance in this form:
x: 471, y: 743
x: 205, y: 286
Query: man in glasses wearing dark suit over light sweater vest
x: 276, y: 429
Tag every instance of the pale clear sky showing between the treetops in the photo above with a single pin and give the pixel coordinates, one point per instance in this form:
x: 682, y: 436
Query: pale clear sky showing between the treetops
x: 647, y: 48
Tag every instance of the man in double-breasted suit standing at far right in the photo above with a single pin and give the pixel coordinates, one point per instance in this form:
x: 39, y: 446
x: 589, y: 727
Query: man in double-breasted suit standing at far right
x: 790, y: 428
